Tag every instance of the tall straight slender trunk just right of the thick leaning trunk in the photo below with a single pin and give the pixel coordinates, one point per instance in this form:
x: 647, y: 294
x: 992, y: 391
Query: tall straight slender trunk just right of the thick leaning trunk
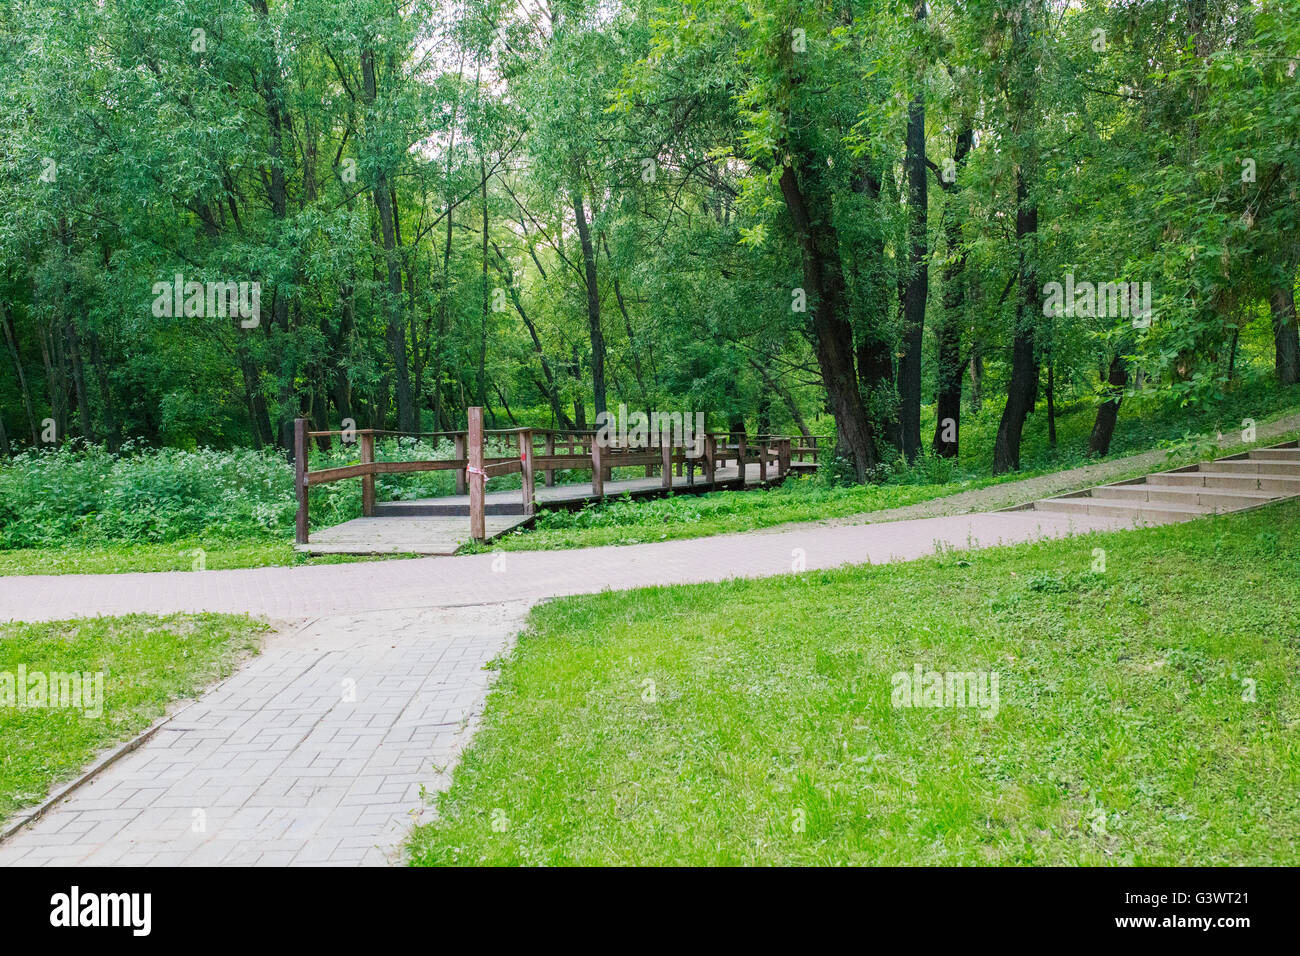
x: 918, y: 272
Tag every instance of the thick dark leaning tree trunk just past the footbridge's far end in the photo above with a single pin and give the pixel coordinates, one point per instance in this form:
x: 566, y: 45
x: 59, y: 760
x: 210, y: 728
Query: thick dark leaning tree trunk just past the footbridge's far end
x: 824, y: 279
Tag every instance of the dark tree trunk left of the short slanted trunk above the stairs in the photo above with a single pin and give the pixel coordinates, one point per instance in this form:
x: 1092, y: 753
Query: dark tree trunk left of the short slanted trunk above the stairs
x: 1022, y: 388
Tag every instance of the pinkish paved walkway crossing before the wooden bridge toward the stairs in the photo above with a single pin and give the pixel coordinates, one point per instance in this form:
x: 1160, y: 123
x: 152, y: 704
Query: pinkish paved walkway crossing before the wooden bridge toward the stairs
x: 331, y: 590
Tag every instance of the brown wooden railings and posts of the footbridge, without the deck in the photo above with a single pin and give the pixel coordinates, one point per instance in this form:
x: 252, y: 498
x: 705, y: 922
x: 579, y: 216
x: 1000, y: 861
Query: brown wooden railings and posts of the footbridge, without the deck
x: 549, y: 451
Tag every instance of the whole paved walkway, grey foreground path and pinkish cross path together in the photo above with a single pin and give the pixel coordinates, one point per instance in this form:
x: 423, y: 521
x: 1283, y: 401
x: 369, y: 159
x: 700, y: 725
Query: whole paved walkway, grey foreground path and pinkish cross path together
x: 320, y: 750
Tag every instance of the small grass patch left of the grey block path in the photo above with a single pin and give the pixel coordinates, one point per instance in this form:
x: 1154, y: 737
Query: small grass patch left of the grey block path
x: 146, y: 663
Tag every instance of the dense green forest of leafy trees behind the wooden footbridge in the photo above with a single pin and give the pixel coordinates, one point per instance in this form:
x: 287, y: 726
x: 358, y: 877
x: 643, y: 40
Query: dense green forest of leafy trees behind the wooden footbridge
x: 796, y: 217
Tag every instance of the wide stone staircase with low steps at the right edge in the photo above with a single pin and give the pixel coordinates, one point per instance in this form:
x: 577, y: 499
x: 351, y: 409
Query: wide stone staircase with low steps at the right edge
x: 1237, y: 483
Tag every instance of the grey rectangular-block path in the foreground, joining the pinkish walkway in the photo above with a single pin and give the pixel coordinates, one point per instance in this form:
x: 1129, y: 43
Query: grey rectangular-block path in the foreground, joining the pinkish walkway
x: 317, y: 752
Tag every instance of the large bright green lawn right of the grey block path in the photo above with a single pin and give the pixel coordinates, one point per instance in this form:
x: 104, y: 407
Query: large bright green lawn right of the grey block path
x: 753, y: 724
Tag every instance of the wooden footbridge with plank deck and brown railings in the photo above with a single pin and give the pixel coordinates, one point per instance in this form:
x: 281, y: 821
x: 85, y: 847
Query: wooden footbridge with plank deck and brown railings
x: 439, y: 526
